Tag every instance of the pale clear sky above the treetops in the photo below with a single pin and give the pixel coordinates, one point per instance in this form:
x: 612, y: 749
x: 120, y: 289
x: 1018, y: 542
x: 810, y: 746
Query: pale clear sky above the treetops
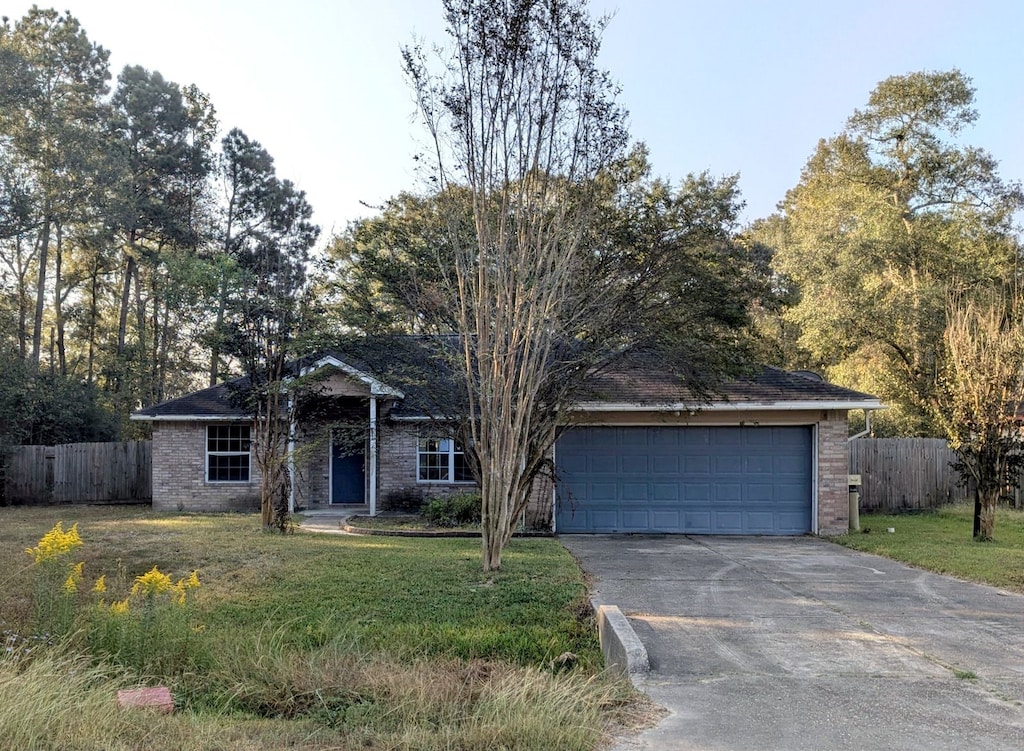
x: 743, y: 87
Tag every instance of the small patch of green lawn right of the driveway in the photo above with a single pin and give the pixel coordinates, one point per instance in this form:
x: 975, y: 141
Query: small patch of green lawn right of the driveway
x: 942, y: 541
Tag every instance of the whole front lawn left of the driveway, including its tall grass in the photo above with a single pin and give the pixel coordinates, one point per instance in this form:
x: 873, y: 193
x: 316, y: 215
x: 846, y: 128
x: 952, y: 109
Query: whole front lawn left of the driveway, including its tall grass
x: 318, y: 642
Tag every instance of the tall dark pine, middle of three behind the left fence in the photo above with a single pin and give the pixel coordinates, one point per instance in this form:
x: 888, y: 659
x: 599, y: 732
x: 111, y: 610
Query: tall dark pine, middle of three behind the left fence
x: 161, y: 143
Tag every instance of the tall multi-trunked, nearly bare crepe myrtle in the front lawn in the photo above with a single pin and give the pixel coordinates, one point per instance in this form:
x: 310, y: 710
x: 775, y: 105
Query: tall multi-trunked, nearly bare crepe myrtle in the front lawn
x: 522, y: 117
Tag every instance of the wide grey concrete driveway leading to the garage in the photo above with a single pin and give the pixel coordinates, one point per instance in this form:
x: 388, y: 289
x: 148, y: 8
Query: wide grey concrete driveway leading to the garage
x: 798, y: 644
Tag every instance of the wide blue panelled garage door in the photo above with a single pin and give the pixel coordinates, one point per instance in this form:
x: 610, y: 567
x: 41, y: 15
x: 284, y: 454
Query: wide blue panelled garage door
x: 700, y: 481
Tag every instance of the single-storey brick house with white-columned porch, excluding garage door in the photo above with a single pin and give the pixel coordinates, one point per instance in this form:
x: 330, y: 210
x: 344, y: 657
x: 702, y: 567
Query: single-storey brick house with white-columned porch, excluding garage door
x: 397, y: 455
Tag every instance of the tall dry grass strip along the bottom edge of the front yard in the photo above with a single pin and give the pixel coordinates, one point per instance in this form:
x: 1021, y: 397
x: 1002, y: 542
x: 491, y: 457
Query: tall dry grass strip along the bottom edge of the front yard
x: 331, y: 699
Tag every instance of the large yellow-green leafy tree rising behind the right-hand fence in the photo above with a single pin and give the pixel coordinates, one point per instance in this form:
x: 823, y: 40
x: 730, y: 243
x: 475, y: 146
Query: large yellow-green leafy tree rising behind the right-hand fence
x: 888, y: 218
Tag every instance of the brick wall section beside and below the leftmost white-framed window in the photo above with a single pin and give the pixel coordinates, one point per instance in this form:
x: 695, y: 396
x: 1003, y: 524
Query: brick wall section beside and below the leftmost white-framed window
x: 180, y: 474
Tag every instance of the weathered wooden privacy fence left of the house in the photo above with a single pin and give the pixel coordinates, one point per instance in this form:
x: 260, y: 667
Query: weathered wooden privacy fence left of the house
x: 115, y: 473
